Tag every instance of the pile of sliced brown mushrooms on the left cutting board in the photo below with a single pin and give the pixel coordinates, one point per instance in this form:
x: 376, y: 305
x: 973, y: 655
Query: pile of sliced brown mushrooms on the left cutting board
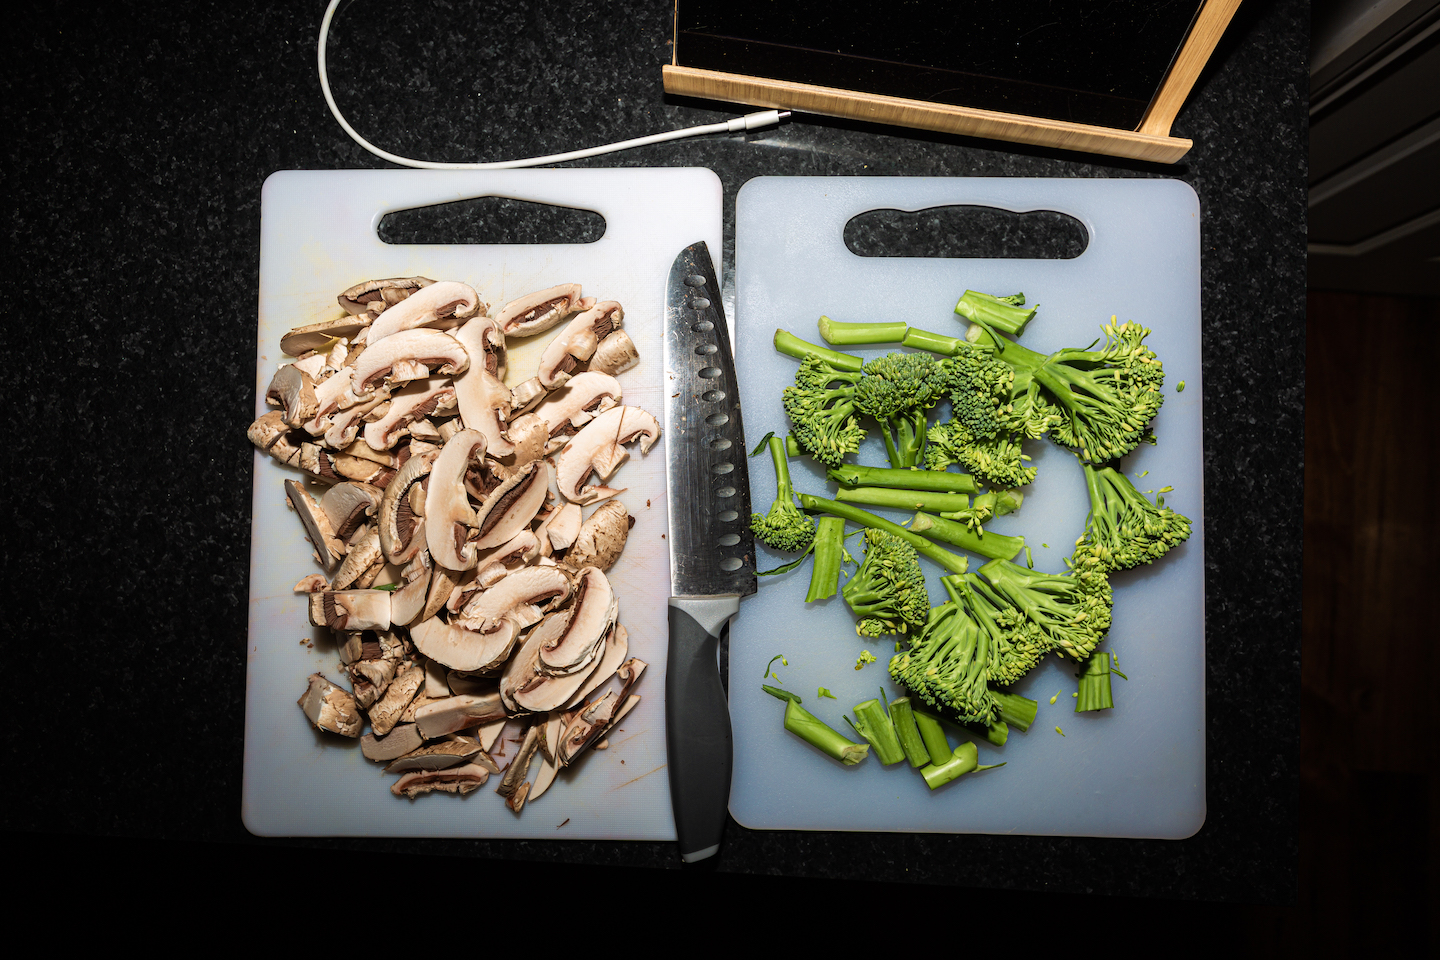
x: 462, y: 578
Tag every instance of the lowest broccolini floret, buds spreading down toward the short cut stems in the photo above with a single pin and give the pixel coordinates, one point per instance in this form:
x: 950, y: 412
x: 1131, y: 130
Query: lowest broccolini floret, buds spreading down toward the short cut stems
x: 950, y: 663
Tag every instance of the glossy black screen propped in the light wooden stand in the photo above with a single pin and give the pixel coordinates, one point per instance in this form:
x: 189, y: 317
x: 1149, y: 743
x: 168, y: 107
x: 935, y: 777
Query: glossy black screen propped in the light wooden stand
x: 1062, y: 60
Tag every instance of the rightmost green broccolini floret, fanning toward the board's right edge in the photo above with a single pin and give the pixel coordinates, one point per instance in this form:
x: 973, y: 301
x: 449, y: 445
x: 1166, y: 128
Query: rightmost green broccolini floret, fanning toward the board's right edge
x: 1125, y: 529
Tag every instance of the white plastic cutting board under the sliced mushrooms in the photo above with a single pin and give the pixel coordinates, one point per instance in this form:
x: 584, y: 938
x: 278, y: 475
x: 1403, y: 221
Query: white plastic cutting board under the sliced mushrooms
x: 318, y: 238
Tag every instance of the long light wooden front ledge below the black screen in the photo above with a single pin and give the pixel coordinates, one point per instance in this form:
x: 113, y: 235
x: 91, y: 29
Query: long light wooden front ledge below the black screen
x: 830, y: 101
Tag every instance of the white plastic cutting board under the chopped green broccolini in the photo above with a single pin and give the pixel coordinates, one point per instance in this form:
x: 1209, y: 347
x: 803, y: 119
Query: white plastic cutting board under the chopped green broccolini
x: 1137, y: 771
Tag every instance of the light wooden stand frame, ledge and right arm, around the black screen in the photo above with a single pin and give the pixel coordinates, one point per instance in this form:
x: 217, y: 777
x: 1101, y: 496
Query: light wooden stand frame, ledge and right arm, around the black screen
x: 1150, y: 142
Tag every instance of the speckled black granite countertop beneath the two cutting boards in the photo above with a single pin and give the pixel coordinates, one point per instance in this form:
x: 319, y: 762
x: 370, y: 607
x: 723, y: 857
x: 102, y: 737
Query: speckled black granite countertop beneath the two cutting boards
x: 139, y: 140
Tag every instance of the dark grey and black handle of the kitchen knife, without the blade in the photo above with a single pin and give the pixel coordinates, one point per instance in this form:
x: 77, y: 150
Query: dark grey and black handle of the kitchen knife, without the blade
x: 698, y: 736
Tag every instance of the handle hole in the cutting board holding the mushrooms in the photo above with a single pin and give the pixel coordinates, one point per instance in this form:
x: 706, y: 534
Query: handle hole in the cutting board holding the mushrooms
x: 492, y: 221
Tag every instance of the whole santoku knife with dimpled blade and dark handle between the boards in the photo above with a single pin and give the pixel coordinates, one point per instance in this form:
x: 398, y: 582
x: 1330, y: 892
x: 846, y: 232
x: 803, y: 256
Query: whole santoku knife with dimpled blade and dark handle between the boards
x: 712, y: 549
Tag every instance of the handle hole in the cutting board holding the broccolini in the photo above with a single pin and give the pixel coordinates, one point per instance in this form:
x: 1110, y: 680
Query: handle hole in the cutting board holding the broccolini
x: 967, y: 232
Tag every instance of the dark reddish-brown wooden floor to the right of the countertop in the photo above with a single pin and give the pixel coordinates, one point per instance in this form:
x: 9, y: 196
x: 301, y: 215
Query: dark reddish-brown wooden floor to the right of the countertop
x: 1370, y: 693
